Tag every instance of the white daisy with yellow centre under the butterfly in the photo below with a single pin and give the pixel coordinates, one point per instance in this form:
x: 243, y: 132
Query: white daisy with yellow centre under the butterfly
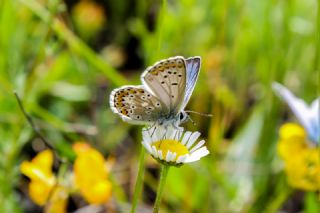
x: 173, y: 146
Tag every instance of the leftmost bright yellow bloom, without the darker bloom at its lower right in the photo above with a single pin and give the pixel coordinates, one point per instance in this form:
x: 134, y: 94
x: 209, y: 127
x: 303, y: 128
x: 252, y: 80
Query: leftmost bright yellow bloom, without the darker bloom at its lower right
x: 41, y: 176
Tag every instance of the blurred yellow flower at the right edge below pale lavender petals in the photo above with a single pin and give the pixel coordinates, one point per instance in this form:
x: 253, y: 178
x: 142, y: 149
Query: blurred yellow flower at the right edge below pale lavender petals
x: 302, y: 161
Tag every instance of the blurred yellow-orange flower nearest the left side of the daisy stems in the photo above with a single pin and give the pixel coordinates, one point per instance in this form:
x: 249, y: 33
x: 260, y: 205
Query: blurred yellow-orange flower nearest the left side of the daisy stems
x: 91, y: 174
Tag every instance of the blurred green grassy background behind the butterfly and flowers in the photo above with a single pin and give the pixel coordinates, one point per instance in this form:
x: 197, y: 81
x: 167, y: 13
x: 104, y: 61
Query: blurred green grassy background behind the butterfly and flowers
x: 64, y: 58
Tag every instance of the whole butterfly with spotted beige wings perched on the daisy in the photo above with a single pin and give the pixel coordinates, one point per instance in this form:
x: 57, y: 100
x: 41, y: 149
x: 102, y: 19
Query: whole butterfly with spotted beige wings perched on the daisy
x: 165, y: 91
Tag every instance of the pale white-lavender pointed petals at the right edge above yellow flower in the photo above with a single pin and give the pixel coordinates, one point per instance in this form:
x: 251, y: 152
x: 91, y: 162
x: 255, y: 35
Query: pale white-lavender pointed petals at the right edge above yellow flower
x: 308, y: 116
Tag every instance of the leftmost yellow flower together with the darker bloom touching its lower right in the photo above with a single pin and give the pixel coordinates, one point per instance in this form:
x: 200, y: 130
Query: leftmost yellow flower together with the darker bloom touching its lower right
x: 43, y: 187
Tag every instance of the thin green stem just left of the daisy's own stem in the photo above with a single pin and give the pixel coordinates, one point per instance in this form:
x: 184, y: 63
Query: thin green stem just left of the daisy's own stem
x: 139, y: 182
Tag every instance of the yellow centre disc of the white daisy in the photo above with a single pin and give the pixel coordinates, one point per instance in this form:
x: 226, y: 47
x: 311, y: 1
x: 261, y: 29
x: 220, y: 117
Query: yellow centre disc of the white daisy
x: 172, y: 146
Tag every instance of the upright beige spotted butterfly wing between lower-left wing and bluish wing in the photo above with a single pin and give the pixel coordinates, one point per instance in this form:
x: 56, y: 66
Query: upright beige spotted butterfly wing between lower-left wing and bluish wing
x: 166, y: 79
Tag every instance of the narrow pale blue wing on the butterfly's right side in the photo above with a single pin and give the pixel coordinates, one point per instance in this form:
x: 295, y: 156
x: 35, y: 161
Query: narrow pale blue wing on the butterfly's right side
x: 193, y: 68
